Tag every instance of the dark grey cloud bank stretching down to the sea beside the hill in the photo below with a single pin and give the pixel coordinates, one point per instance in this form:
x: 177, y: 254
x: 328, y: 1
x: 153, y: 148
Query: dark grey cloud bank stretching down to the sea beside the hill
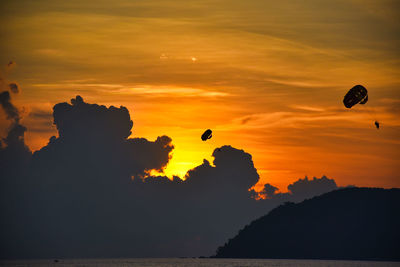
x: 87, y: 193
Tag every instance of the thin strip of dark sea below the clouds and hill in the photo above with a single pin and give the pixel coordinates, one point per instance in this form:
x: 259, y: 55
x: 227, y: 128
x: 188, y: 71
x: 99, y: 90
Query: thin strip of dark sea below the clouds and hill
x: 195, y: 262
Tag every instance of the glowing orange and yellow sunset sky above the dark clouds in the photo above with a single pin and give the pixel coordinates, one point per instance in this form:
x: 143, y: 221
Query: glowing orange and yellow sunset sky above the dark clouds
x: 266, y: 76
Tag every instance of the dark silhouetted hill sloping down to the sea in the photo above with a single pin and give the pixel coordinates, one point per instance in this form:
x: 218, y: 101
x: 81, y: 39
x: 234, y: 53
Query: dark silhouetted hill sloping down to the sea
x: 351, y: 223
